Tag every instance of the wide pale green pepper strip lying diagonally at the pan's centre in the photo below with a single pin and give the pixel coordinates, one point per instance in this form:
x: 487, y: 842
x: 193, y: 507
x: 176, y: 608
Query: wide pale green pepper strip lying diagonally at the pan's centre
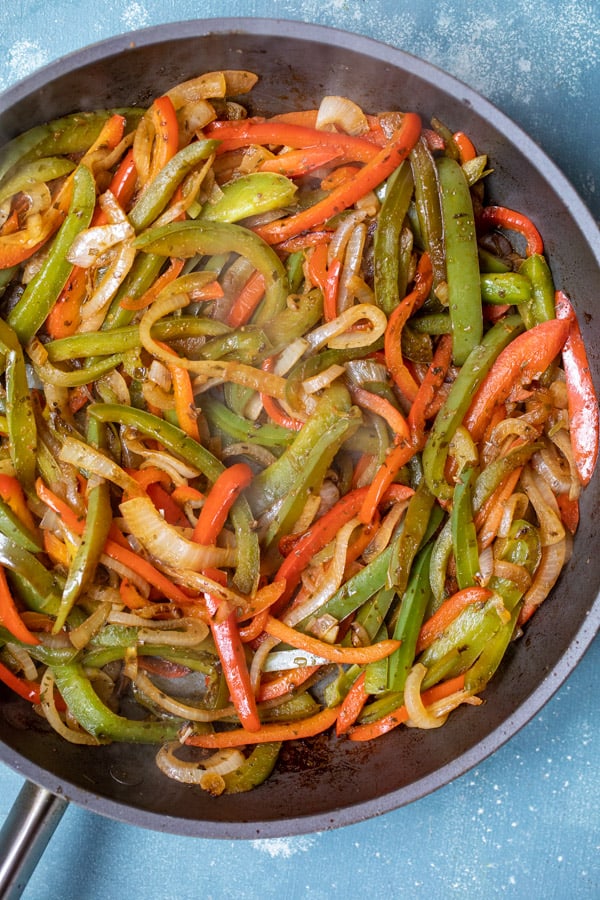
x: 286, y: 473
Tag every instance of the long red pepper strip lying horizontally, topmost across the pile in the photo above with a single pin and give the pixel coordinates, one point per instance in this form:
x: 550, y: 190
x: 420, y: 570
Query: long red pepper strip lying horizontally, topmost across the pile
x: 236, y: 134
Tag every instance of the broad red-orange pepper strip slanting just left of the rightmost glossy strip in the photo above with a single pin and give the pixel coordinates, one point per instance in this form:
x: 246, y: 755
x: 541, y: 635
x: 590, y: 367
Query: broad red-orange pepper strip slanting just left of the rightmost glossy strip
x: 523, y: 360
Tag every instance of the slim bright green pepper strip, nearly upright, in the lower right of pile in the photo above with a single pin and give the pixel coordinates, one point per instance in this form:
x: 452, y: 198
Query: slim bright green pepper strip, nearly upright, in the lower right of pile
x: 409, y: 621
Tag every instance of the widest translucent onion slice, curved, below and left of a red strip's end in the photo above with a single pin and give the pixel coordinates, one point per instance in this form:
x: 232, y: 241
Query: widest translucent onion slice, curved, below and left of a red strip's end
x: 165, y: 543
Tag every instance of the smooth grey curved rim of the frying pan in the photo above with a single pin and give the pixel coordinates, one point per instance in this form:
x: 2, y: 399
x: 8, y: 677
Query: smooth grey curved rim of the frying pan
x: 582, y: 639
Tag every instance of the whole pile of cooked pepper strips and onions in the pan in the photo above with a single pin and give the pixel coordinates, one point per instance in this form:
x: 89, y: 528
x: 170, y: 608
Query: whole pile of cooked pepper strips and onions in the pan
x: 294, y: 425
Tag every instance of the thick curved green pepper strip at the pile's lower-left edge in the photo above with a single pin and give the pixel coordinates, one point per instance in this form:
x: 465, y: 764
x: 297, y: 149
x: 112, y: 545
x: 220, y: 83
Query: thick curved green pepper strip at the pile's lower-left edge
x: 97, y: 719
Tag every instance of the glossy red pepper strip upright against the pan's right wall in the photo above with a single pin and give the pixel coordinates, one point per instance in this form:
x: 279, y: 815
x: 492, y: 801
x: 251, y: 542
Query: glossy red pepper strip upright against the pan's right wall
x: 581, y: 395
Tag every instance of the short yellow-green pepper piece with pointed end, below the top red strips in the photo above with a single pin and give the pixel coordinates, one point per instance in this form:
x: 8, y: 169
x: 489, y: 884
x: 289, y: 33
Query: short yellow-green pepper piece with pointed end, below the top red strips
x: 249, y: 195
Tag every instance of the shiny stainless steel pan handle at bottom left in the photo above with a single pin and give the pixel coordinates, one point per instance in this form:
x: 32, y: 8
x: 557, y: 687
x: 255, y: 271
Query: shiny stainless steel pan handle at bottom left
x: 30, y: 824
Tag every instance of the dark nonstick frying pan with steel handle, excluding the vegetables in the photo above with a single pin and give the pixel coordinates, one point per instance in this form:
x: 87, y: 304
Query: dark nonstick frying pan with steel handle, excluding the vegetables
x: 327, y: 782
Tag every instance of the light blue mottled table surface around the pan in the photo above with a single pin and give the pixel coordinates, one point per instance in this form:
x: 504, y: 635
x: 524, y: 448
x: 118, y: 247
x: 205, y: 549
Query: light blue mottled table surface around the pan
x: 524, y: 823
